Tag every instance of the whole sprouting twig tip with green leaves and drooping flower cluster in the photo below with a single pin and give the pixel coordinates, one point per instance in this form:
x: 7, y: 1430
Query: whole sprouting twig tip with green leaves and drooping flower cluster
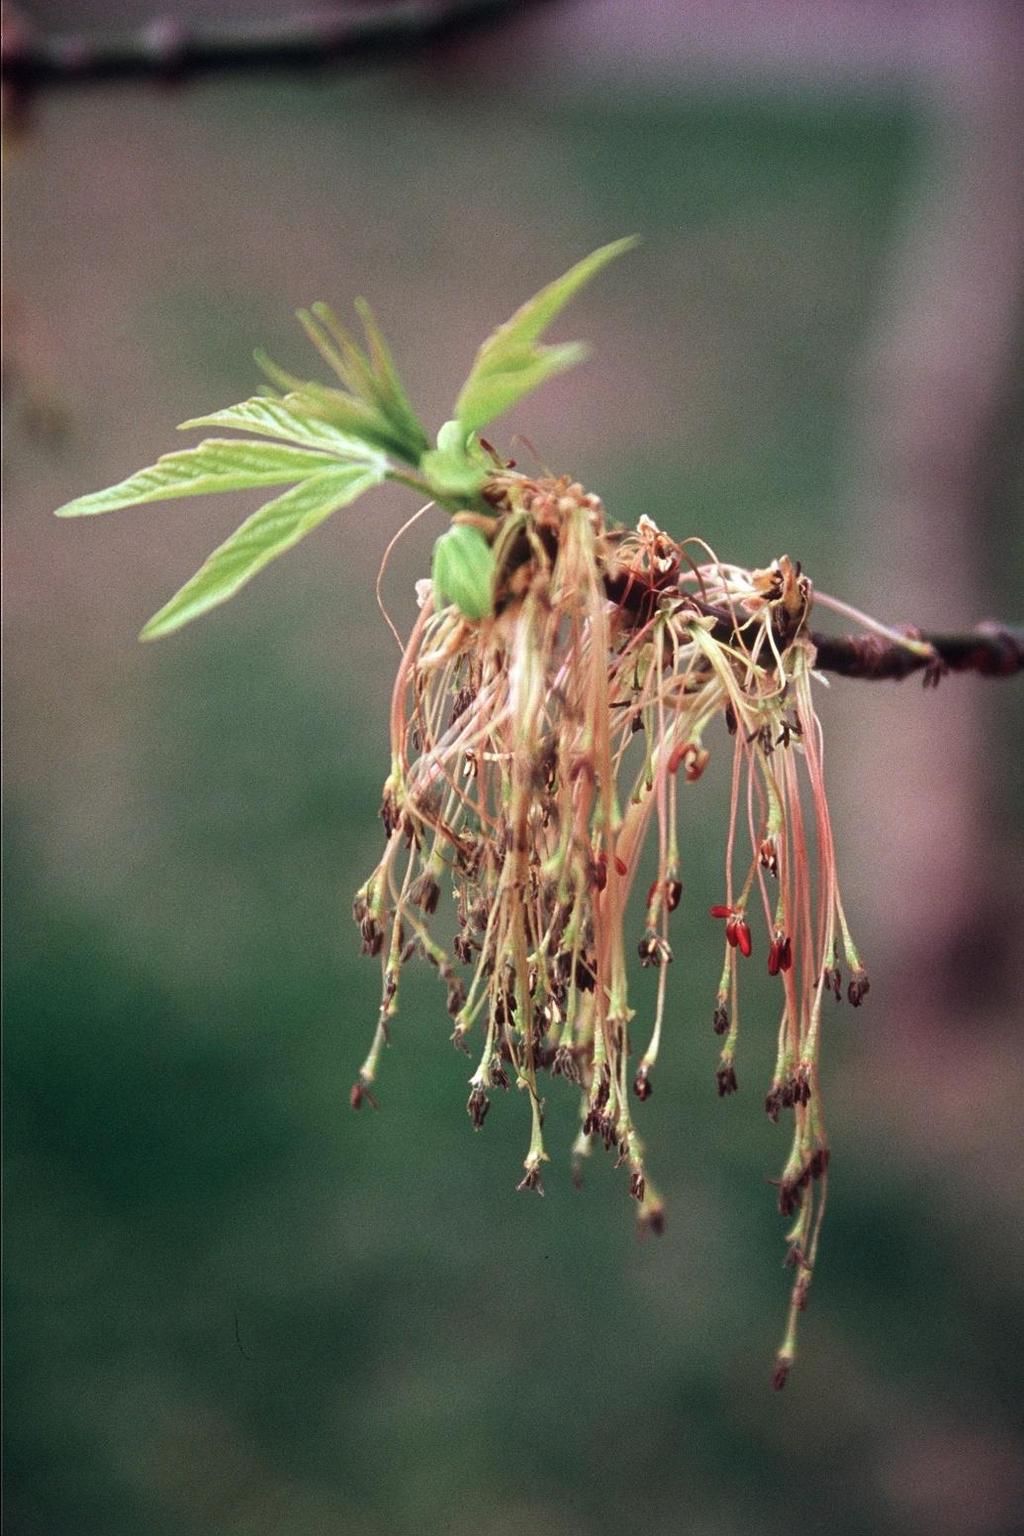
x: 563, y: 689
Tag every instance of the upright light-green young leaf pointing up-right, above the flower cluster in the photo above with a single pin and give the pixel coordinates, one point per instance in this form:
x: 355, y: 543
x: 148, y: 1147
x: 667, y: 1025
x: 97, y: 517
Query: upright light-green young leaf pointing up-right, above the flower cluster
x: 512, y: 365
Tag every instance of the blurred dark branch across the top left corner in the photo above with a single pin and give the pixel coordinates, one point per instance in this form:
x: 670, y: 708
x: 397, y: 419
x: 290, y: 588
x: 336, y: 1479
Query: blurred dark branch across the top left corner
x: 171, y: 50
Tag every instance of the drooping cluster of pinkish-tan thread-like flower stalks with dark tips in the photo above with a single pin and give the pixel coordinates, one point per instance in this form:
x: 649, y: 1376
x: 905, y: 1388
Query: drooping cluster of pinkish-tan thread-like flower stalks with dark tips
x: 535, y: 753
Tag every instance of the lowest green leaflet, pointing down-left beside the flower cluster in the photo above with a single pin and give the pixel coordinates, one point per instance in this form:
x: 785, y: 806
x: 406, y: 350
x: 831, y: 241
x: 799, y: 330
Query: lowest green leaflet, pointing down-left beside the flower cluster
x: 260, y: 540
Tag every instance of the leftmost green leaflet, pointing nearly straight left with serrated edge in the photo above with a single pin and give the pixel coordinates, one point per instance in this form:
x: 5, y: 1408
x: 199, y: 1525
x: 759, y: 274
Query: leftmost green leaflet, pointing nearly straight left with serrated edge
x: 214, y: 466
